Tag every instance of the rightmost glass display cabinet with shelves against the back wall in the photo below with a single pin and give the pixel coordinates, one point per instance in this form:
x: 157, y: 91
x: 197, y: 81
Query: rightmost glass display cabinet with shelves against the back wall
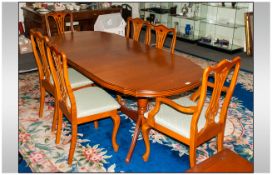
x: 223, y: 25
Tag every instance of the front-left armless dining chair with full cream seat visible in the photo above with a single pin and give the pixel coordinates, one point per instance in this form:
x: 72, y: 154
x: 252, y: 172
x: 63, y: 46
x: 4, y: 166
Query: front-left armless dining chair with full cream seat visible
x: 80, y: 106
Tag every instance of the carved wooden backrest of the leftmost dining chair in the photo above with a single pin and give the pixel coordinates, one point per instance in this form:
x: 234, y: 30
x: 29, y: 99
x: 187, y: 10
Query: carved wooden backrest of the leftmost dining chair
x: 38, y: 42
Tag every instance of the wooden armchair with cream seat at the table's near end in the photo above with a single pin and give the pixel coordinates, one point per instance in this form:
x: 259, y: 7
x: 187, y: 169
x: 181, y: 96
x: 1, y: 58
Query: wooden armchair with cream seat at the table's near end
x: 195, y: 119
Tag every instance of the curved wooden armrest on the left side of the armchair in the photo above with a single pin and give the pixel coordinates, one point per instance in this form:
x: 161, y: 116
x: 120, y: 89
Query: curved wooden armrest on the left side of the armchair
x: 159, y: 100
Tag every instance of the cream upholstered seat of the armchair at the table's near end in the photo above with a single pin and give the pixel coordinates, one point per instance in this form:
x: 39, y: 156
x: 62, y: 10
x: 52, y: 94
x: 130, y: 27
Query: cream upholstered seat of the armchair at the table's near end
x: 180, y: 122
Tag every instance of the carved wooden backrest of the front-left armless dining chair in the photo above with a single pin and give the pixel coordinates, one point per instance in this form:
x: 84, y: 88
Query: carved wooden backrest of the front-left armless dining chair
x: 64, y: 93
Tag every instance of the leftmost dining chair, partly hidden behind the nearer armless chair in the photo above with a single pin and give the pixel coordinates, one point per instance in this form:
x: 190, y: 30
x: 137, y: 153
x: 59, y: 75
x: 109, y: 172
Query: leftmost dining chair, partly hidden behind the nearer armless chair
x: 78, y: 80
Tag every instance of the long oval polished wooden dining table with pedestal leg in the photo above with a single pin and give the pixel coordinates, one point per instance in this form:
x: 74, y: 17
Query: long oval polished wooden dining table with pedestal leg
x: 128, y: 68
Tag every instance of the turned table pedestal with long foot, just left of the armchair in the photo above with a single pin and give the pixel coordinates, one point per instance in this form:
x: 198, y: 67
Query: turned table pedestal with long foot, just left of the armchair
x: 142, y: 105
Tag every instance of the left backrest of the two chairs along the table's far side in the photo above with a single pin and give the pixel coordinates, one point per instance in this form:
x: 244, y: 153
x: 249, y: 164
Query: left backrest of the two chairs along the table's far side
x: 137, y: 24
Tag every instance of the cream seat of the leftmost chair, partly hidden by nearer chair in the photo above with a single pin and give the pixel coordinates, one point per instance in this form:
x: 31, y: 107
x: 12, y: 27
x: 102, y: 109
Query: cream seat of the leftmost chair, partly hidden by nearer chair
x: 76, y: 79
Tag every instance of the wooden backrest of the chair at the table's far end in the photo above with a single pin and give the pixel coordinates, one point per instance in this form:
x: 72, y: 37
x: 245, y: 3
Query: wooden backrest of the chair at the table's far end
x: 59, y: 20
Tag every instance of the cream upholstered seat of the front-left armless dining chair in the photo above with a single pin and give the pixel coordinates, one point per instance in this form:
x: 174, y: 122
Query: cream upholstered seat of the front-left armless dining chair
x: 93, y: 100
